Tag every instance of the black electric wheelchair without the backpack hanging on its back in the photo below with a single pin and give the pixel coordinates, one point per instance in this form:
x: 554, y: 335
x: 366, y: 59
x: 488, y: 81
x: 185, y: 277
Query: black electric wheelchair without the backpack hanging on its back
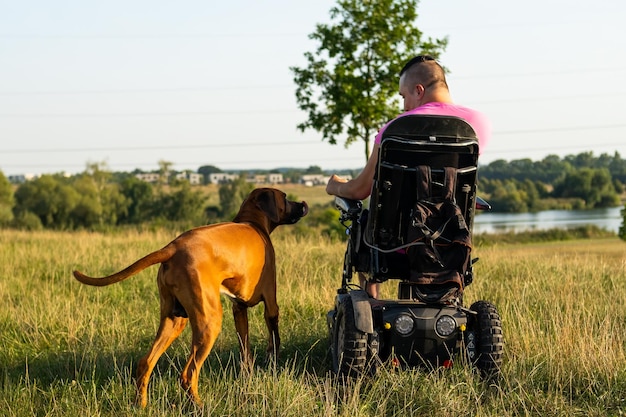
x: 413, y: 330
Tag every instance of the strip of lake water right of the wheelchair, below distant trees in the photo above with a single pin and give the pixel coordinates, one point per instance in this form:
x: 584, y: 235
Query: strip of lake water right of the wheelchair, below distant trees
x: 486, y: 222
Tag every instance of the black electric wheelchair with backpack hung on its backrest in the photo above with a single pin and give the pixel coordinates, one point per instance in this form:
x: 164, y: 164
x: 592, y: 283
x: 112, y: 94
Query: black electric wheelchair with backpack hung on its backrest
x: 417, y: 230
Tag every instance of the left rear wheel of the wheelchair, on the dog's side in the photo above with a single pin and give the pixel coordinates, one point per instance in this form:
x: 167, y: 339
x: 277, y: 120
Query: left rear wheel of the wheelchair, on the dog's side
x: 349, y: 345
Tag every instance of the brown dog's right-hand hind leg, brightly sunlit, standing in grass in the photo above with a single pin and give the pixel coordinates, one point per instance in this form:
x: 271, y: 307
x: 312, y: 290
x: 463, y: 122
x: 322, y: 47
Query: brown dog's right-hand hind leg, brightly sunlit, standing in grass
x: 206, y: 325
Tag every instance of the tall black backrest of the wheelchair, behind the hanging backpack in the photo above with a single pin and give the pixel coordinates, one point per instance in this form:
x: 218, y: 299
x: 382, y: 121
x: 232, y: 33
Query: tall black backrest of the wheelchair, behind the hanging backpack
x: 410, y: 146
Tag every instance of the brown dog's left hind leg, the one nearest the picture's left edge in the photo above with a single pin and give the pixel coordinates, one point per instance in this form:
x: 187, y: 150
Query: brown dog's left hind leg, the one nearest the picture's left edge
x: 169, y: 329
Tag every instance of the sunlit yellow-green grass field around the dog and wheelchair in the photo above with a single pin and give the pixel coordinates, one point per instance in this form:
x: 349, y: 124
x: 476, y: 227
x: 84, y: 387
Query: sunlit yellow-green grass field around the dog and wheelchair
x: 71, y: 350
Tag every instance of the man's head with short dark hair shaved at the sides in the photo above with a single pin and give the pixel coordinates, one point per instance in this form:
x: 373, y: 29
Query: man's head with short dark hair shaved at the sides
x: 423, y: 80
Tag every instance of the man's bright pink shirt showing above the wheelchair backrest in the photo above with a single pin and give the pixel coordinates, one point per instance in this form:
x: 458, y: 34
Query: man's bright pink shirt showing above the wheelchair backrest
x: 476, y: 119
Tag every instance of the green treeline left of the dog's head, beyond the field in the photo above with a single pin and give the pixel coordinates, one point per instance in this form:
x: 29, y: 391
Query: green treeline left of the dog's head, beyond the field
x: 99, y: 200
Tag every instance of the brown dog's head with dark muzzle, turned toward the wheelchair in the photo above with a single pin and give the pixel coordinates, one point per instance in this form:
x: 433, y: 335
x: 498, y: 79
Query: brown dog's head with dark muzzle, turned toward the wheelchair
x: 275, y: 207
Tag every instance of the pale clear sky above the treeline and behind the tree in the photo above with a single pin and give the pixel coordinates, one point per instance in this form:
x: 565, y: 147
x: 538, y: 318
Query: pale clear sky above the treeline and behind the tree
x: 130, y: 83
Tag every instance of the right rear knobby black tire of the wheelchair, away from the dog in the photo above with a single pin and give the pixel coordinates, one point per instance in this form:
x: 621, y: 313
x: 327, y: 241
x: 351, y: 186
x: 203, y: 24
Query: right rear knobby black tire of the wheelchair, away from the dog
x: 489, y: 341
